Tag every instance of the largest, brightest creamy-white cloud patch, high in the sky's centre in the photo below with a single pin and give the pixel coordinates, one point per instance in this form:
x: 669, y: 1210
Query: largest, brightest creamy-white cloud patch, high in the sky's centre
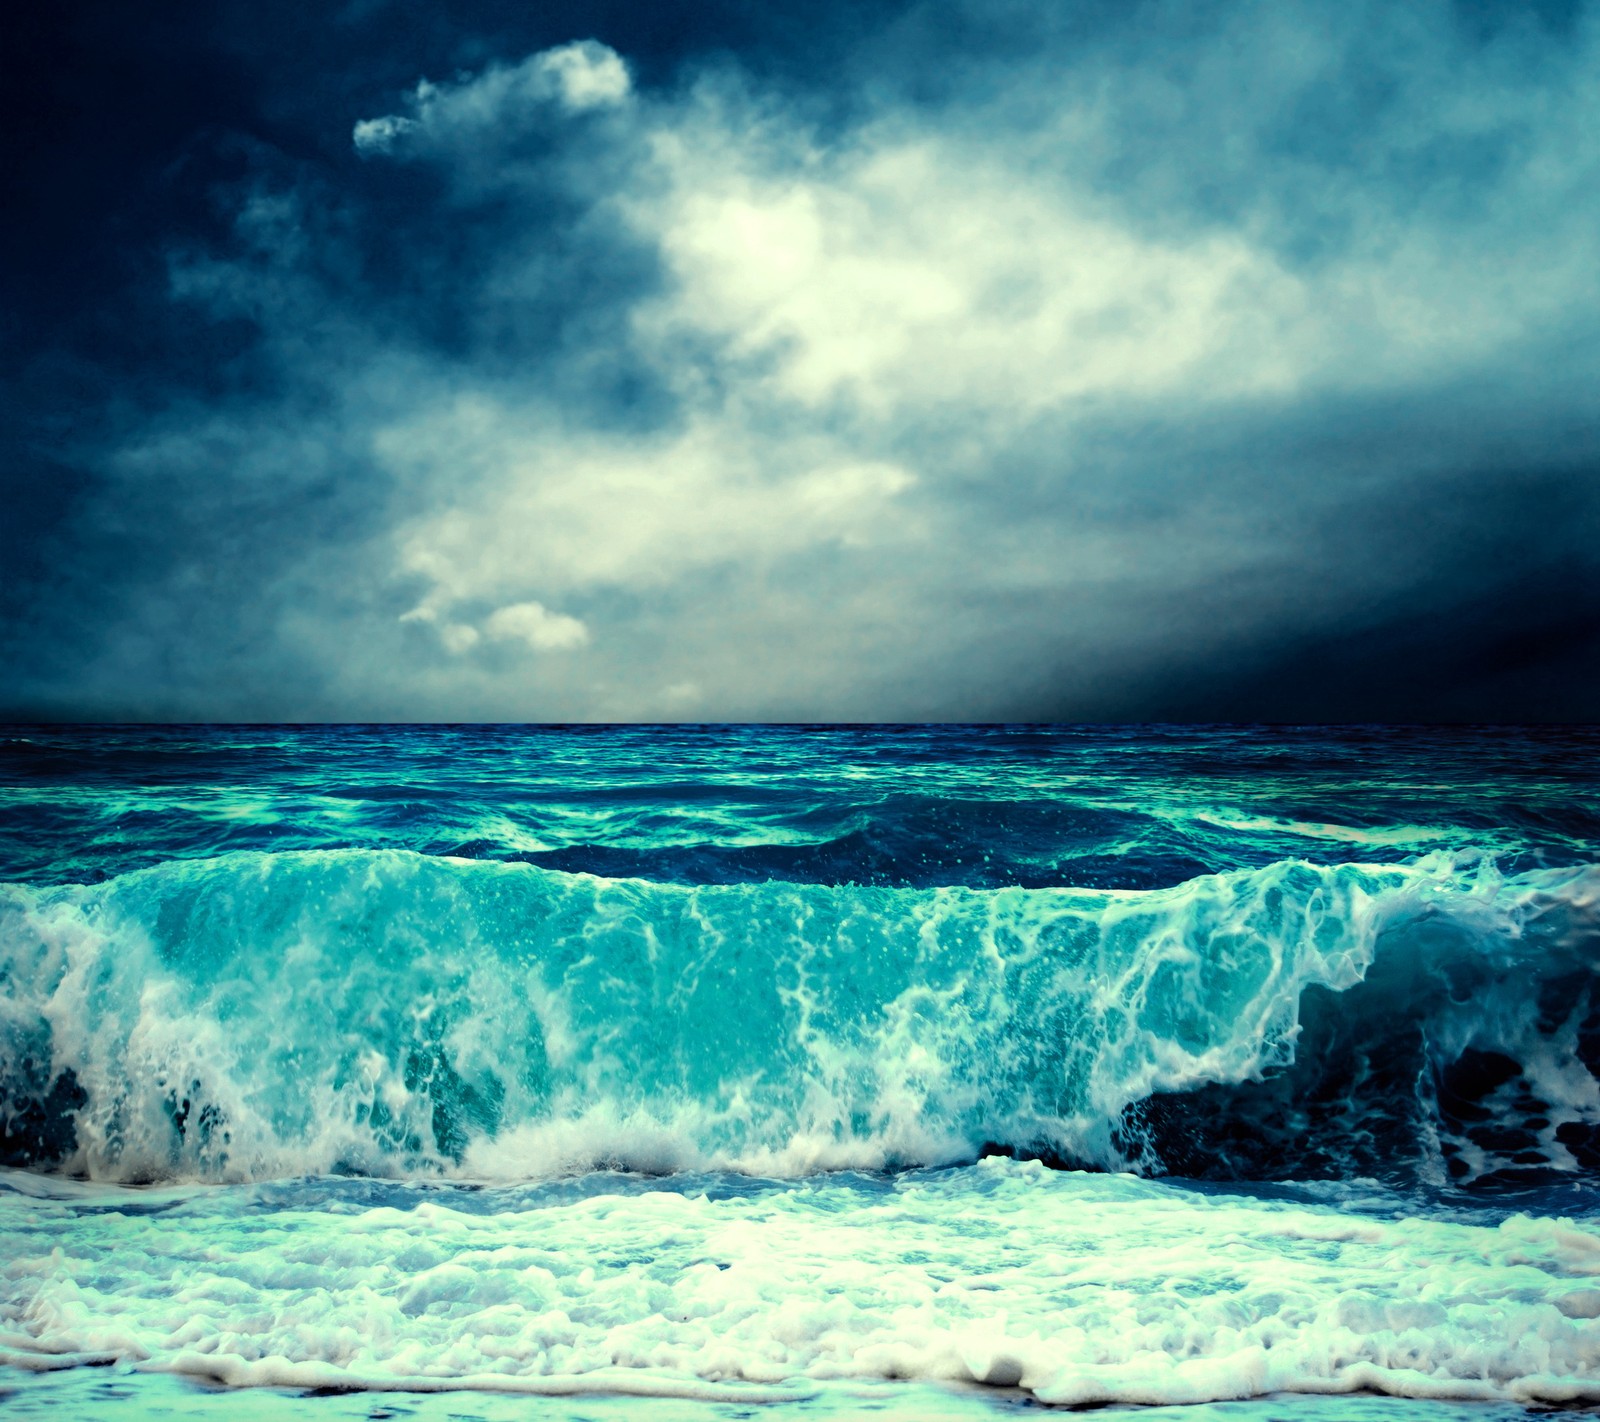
x: 911, y: 273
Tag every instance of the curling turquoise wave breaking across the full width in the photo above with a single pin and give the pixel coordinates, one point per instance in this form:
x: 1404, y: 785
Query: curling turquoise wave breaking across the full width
x: 390, y: 1013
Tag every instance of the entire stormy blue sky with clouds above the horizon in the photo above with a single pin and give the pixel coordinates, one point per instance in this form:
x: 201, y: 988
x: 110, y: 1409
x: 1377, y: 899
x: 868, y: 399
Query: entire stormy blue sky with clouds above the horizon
x: 828, y: 361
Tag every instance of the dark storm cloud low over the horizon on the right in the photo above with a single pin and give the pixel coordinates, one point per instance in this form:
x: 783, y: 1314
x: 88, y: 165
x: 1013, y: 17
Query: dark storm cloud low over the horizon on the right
x: 1442, y: 564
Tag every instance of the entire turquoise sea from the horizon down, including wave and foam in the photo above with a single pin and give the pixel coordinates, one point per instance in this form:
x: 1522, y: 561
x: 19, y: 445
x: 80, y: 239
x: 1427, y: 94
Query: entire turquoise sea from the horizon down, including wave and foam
x: 833, y: 1072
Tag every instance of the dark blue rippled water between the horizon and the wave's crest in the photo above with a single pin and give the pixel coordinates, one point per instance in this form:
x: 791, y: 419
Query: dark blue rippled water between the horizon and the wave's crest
x: 983, y: 807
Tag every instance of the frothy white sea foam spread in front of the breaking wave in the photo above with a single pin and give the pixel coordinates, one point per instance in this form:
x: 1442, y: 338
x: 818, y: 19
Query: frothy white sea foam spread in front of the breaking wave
x: 1074, y: 1288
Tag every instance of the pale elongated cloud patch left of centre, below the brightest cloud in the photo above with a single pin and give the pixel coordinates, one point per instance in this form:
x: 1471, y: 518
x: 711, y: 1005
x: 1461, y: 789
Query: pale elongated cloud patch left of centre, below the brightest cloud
x: 583, y: 509
